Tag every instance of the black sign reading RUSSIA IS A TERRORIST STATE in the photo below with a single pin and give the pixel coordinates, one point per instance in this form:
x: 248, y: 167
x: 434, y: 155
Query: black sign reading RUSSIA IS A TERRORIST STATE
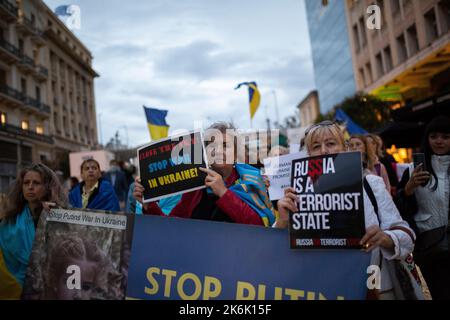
x: 330, y: 202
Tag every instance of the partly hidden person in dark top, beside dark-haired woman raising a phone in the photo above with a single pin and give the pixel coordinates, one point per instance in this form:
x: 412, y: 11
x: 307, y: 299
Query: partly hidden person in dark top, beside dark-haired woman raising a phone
x: 383, y: 162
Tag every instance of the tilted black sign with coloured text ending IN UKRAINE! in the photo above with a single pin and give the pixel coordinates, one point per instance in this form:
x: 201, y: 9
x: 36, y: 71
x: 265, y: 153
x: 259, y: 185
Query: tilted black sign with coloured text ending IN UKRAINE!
x: 171, y: 166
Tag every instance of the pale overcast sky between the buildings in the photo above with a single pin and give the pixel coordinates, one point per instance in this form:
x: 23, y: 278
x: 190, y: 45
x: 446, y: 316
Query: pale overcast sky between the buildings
x: 187, y: 57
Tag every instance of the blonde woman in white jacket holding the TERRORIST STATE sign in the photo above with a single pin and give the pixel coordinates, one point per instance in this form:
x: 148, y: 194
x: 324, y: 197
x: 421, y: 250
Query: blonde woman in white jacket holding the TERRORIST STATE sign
x: 386, y: 232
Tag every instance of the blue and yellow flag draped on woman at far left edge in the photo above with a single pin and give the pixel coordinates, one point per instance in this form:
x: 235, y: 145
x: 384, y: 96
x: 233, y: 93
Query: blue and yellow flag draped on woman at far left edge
x: 16, y: 242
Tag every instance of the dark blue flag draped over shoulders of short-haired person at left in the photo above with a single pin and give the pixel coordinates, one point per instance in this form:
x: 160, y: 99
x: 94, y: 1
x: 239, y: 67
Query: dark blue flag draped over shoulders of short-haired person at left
x: 105, y: 199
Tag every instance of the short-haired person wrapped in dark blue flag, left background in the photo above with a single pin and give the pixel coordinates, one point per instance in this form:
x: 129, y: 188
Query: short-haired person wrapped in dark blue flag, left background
x: 93, y: 192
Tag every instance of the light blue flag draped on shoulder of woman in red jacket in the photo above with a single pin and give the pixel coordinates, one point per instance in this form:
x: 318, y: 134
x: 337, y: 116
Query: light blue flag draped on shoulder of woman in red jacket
x: 251, y: 189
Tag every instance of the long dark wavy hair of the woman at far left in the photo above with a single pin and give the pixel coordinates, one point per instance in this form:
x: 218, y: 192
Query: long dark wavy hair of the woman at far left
x: 54, y: 192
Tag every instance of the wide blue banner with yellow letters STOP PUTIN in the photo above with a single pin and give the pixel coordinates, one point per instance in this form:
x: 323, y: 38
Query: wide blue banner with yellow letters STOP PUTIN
x: 204, y: 260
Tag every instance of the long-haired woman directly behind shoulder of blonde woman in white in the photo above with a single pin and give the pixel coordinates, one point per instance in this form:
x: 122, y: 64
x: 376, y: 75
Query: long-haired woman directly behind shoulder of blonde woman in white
x: 361, y: 143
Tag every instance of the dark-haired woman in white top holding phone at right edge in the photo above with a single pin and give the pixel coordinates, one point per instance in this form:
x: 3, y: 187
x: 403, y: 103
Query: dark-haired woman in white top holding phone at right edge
x: 423, y: 198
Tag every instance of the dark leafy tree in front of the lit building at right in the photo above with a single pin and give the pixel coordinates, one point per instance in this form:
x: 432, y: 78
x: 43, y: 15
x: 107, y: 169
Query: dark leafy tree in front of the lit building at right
x: 369, y: 112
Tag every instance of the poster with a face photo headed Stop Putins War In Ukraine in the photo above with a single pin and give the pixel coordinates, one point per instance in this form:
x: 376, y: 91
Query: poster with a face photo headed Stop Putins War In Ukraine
x: 79, y: 254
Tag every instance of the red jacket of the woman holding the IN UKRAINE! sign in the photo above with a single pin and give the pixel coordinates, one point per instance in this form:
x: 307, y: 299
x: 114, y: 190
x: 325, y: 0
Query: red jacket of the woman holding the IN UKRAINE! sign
x: 230, y: 204
